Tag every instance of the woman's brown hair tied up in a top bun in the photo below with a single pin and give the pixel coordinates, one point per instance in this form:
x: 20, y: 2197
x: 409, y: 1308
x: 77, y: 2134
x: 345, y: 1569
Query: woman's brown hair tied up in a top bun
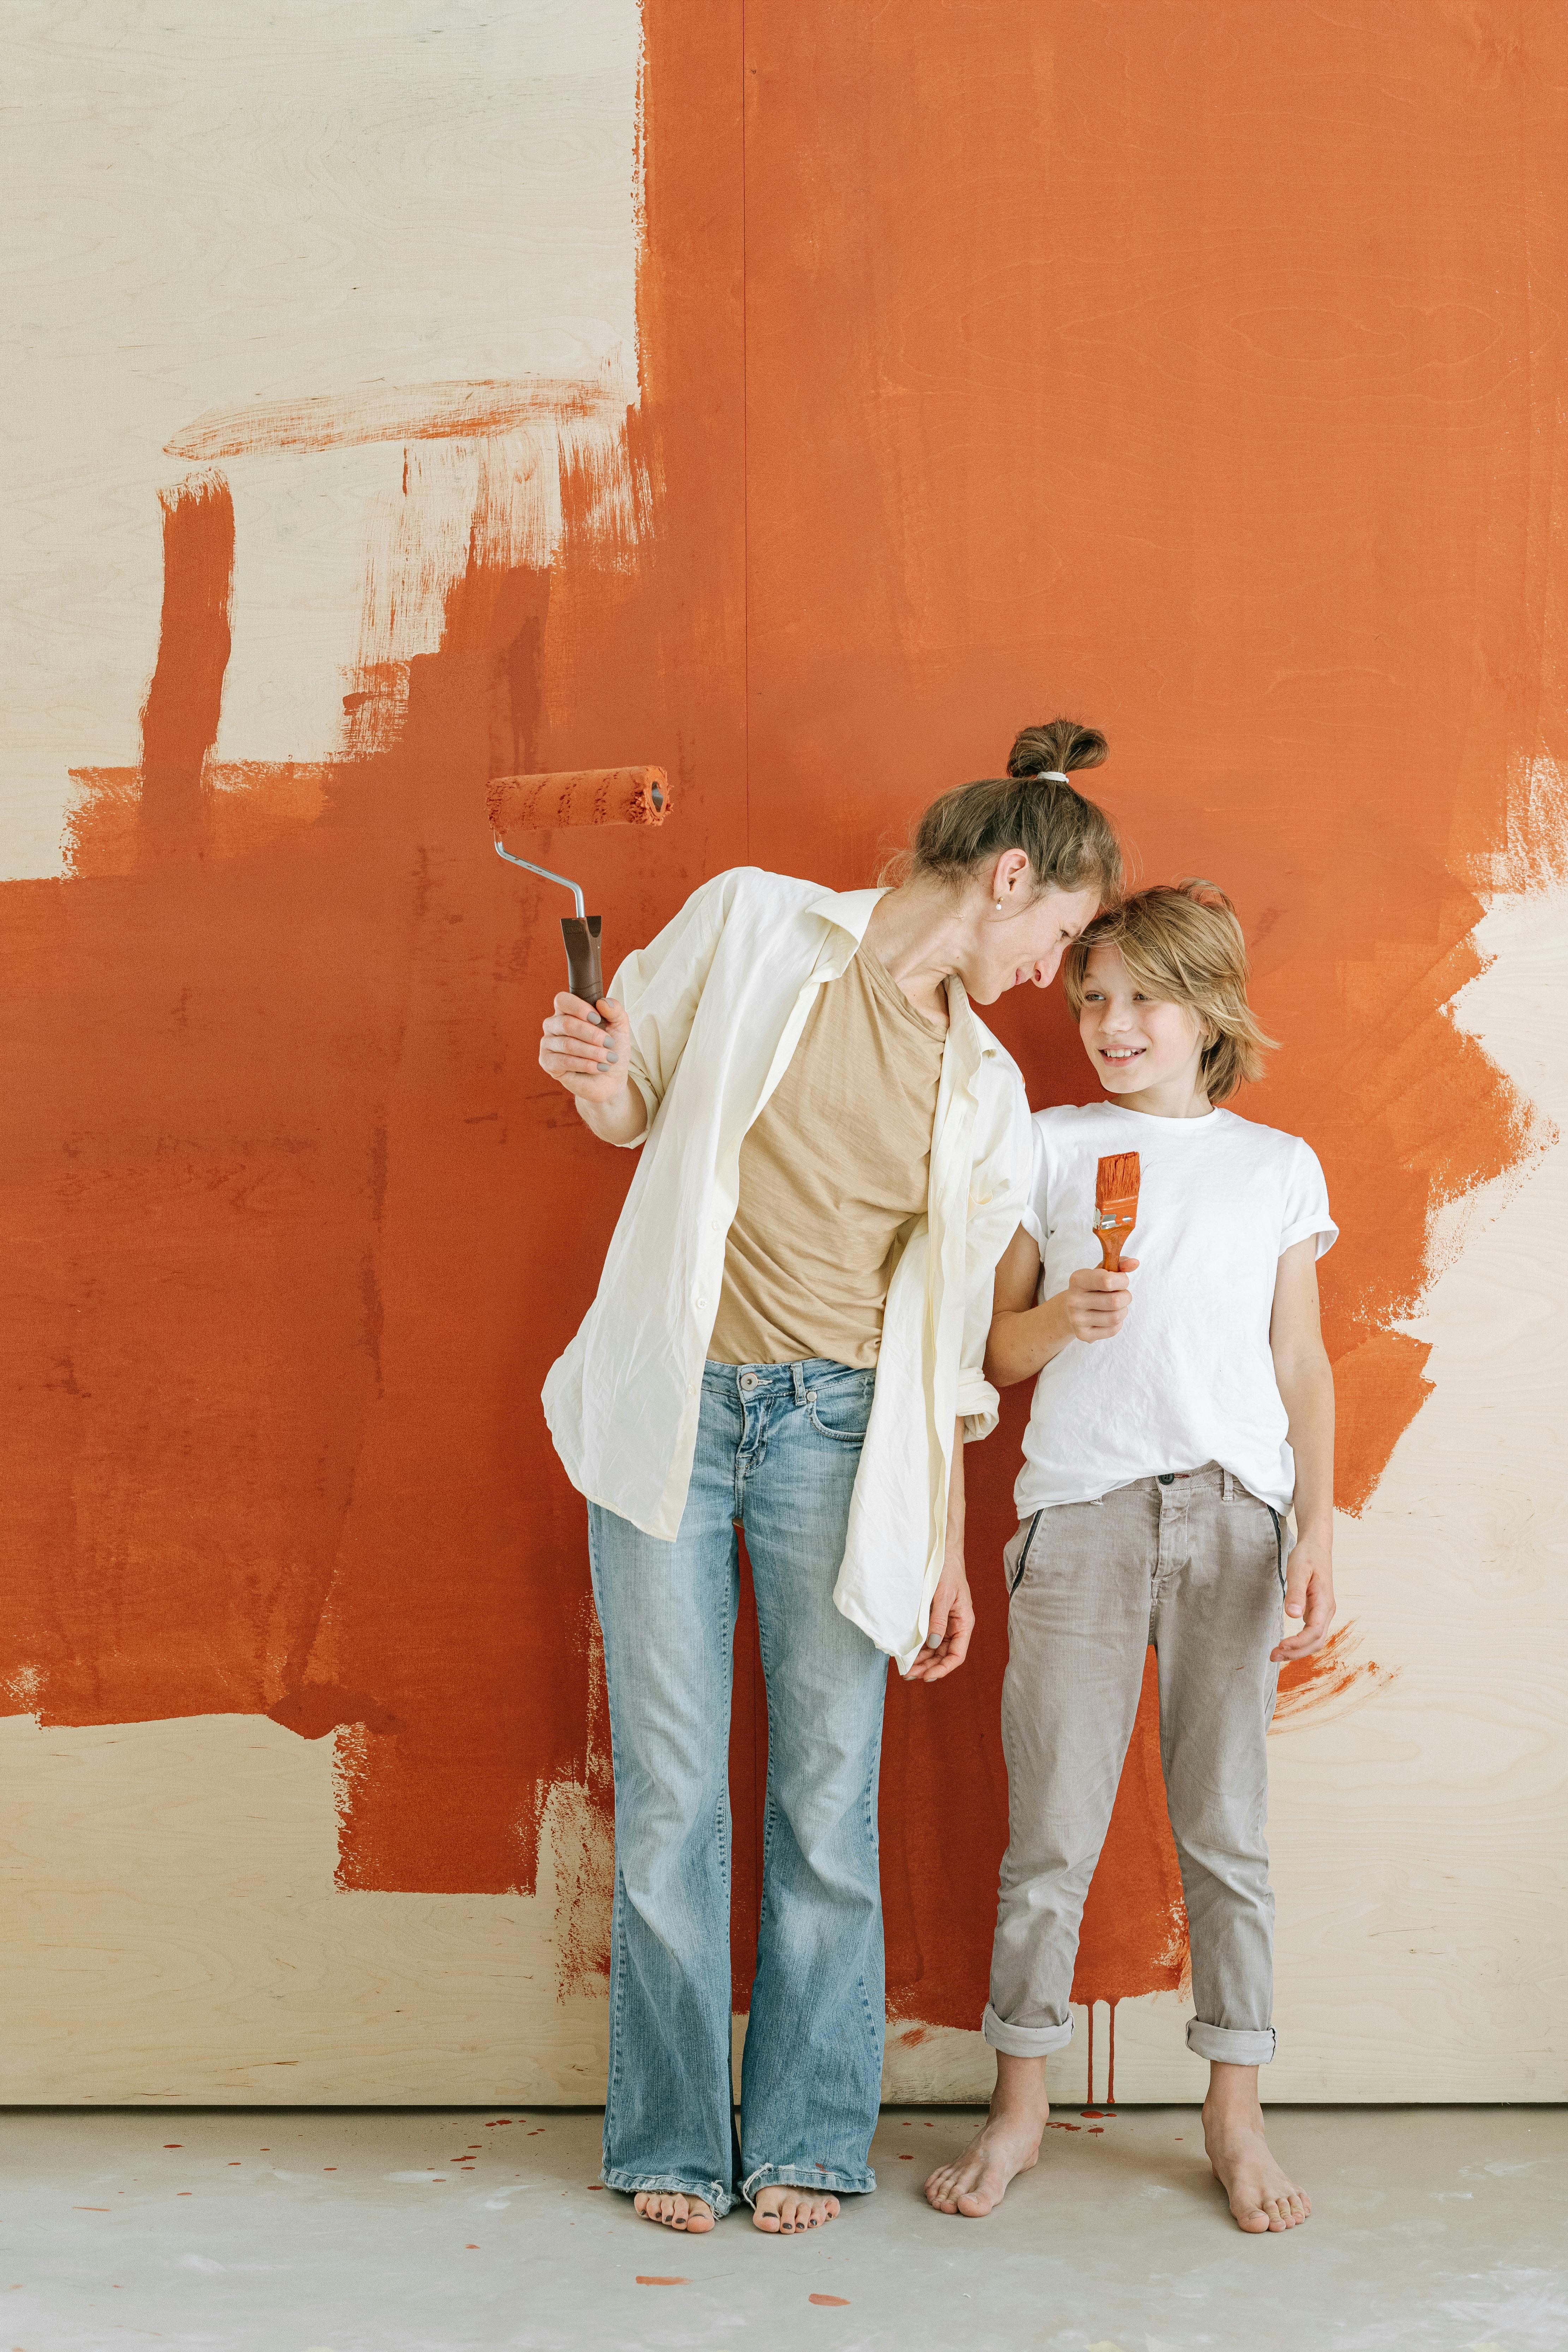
x: 1066, y: 838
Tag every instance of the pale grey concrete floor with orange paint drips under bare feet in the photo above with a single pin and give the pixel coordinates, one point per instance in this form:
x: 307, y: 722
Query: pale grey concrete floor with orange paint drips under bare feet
x: 422, y: 2231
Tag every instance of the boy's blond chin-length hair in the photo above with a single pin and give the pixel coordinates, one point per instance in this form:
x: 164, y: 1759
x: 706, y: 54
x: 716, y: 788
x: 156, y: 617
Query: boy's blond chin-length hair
x: 1181, y: 942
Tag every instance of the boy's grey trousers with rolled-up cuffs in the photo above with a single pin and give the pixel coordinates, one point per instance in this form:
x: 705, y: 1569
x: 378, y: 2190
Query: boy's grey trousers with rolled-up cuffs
x: 1195, y: 1568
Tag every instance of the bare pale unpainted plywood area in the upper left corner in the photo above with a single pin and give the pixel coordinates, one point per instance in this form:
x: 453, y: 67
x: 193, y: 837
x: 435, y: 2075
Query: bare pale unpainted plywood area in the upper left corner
x: 236, y: 208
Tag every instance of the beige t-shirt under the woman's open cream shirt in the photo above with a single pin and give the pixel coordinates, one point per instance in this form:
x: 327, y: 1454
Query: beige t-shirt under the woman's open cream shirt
x: 831, y: 1175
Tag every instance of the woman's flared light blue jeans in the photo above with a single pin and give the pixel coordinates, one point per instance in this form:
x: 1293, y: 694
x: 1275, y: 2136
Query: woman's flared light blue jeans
x: 777, y: 1455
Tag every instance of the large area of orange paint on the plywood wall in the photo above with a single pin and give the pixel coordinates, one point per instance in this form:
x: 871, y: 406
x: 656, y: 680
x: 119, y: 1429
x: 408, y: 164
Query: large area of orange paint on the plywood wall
x: 1188, y: 373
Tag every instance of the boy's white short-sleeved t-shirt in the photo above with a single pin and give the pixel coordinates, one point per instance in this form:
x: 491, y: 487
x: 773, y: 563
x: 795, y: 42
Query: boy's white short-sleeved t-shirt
x: 1188, y: 1379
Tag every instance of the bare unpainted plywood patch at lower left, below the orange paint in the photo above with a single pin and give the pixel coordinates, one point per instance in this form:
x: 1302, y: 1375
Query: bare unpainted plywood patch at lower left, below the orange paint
x: 175, y: 1937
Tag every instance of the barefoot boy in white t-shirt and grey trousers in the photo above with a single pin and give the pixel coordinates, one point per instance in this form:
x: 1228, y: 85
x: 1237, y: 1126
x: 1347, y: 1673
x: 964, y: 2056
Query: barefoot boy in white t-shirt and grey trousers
x: 1177, y: 1419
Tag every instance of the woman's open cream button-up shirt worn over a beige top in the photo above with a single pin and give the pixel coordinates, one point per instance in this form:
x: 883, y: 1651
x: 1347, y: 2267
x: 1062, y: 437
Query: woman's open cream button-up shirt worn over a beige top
x: 716, y: 1013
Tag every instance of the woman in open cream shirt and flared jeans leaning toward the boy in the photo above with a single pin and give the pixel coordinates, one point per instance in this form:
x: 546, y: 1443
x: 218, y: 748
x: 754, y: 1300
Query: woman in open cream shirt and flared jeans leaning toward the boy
x: 789, y: 1339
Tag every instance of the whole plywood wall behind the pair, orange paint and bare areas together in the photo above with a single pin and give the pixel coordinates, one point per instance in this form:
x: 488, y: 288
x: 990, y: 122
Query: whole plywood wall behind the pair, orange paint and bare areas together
x: 800, y: 403
